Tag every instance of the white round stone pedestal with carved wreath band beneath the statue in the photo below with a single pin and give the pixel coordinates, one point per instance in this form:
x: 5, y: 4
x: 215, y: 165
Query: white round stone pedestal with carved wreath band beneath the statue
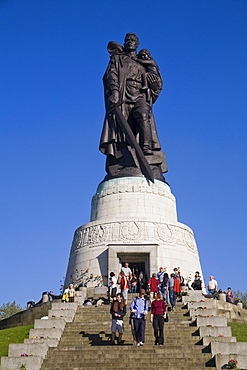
x: 132, y: 220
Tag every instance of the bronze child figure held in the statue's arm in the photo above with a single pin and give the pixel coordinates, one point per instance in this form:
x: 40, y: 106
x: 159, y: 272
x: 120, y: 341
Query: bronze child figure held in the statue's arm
x: 152, y: 70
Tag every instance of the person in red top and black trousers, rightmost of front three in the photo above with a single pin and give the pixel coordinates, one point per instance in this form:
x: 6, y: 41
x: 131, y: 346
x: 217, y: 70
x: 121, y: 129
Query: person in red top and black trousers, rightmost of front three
x: 158, y: 315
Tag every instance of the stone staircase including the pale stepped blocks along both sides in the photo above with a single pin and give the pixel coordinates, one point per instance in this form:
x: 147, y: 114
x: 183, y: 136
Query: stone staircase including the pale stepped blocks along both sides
x: 75, y: 337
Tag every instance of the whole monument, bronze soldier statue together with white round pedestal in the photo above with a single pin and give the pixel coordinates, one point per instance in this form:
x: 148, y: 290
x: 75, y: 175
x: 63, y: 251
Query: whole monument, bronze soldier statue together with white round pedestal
x: 133, y: 213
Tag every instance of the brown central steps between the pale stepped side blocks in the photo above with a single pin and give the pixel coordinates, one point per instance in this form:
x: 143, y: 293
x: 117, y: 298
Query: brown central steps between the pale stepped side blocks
x: 86, y: 343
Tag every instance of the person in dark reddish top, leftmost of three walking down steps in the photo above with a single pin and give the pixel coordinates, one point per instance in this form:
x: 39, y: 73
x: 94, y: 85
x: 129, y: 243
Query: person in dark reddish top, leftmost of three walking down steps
x: 118, y: 311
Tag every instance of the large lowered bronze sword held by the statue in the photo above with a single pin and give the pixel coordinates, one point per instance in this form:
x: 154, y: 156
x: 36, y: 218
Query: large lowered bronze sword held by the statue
x: 146, y: 170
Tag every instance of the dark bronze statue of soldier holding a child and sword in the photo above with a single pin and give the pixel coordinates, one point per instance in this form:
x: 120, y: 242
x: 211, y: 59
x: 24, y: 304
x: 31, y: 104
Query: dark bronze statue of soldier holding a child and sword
x: 132, y: 83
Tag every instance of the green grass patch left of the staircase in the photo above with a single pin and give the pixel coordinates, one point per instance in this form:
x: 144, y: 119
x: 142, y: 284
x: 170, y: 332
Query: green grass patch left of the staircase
x: 12, y: 335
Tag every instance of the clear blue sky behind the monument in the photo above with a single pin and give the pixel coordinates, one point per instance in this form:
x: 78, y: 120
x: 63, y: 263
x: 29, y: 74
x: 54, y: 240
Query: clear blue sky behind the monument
x: 53, y: 56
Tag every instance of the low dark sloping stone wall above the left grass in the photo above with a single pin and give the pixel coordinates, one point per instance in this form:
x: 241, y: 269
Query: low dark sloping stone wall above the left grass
x: 26, y: 317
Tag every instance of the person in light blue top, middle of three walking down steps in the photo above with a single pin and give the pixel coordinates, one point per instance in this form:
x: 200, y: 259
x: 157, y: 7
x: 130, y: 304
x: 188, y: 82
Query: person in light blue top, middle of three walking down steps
x: 139, y: 310
